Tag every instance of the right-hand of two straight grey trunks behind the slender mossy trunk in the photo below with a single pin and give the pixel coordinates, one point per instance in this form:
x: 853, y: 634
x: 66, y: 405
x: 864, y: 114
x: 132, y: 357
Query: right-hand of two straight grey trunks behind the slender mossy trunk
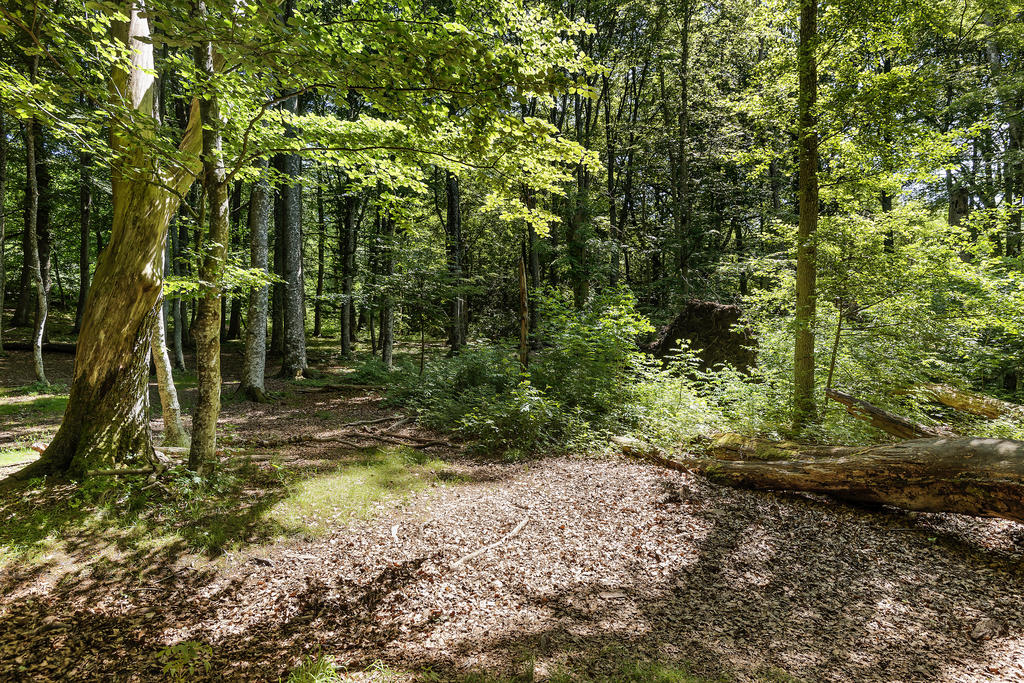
x: 294, y: 303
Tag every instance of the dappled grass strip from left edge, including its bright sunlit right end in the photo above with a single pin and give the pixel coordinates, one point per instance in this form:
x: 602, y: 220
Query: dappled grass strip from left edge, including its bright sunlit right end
x: 241, y: 505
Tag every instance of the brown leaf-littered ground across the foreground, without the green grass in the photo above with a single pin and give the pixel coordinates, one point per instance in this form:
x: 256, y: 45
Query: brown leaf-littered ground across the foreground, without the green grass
x: 615, y: 557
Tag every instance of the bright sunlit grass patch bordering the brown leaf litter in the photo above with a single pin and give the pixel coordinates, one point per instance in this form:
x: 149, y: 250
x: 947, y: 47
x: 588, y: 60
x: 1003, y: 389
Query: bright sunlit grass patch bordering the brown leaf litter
x: 318, y: 504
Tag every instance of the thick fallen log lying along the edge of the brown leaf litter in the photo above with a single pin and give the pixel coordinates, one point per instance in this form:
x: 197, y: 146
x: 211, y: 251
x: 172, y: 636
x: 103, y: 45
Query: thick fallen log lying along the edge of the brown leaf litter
x: 984, y: 478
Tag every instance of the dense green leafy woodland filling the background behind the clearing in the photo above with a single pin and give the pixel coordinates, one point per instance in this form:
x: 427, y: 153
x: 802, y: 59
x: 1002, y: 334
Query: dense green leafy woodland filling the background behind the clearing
x: 633, y: 158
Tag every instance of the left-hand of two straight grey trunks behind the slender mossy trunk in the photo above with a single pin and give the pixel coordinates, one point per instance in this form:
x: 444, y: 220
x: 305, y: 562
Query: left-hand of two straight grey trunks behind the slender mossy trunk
x: 254, y: 368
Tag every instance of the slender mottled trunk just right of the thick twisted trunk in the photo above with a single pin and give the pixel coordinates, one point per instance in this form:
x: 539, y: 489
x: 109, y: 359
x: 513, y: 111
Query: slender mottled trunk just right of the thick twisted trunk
x: 206, y: 328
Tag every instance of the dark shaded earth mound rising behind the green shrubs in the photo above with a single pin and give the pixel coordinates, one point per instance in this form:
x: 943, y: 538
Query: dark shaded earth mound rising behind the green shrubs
x: 711, y: 329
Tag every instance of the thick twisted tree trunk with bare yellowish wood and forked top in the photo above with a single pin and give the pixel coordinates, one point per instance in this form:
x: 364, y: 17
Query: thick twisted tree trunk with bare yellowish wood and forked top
x: 107, y: 423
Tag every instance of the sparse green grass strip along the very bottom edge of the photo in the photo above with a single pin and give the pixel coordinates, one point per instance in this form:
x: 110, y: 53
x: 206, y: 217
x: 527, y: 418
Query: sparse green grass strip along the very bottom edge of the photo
x: 622, y: 667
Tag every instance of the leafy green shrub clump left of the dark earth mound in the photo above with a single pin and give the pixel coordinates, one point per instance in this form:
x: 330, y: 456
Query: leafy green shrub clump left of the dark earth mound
x: 587, y: 380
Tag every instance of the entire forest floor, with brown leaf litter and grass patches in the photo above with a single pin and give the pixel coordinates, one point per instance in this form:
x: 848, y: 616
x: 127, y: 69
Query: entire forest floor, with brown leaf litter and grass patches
x: 621, y: 572
